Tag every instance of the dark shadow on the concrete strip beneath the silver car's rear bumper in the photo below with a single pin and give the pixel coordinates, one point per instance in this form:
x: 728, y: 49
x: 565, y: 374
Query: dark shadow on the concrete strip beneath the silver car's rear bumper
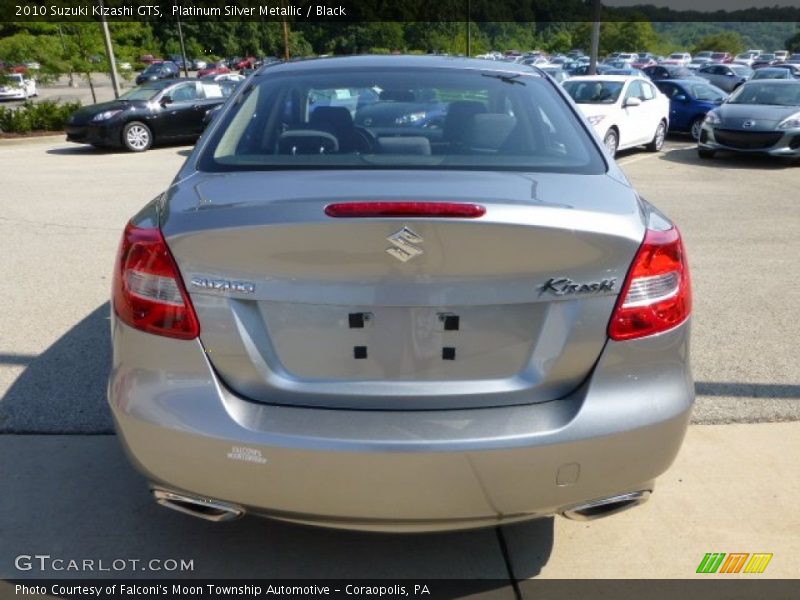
x: 77, y: 497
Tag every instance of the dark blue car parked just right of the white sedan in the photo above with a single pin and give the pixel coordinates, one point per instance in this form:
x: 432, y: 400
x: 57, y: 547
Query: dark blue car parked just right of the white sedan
x: 689, y: 101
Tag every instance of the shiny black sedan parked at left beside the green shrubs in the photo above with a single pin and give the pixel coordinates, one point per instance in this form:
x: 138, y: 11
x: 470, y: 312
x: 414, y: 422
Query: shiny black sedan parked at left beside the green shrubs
x: 160, y: 111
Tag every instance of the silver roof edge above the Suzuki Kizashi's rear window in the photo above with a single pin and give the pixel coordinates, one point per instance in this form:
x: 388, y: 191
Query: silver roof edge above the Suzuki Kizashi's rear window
x: 334, y: 63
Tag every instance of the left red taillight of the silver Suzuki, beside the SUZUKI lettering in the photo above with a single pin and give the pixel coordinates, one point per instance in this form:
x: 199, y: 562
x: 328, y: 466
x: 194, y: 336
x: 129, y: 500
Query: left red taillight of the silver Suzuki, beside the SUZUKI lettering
x: 148, y: 293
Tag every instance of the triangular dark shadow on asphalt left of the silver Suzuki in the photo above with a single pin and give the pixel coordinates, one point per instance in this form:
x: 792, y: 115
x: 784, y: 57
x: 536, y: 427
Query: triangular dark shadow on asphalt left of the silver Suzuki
x: 63, y: 390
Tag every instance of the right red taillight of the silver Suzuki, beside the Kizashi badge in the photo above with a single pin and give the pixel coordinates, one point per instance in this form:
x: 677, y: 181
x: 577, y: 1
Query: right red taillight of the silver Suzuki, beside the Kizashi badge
x: 657, y: 293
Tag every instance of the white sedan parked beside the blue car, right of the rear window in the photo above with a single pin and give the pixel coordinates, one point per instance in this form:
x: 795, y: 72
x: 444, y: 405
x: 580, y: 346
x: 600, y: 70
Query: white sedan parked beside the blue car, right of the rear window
x: 624, y: 111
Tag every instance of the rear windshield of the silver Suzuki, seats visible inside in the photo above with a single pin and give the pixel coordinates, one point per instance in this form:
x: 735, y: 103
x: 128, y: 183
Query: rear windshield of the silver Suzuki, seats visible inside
x: 401, y: 118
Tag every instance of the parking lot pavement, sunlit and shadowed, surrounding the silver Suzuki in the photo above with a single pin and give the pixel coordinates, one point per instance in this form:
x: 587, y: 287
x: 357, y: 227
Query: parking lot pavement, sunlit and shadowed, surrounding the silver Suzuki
x: 62, y: 209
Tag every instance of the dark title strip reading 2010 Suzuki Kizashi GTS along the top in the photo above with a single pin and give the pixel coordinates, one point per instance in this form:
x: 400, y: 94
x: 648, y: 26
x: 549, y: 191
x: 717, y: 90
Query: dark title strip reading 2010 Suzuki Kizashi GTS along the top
x: 384, y: 10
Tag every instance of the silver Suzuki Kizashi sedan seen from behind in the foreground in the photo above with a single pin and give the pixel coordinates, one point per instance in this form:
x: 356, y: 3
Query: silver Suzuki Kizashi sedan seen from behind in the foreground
x: 461, y: 317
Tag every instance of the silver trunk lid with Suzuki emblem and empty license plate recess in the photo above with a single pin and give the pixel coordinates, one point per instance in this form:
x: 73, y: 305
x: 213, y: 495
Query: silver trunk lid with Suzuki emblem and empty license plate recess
x: 422, y: 312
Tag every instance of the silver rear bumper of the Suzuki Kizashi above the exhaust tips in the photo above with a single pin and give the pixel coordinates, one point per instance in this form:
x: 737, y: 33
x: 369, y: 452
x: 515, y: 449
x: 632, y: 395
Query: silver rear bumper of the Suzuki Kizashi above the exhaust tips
x: 401, y: 470
